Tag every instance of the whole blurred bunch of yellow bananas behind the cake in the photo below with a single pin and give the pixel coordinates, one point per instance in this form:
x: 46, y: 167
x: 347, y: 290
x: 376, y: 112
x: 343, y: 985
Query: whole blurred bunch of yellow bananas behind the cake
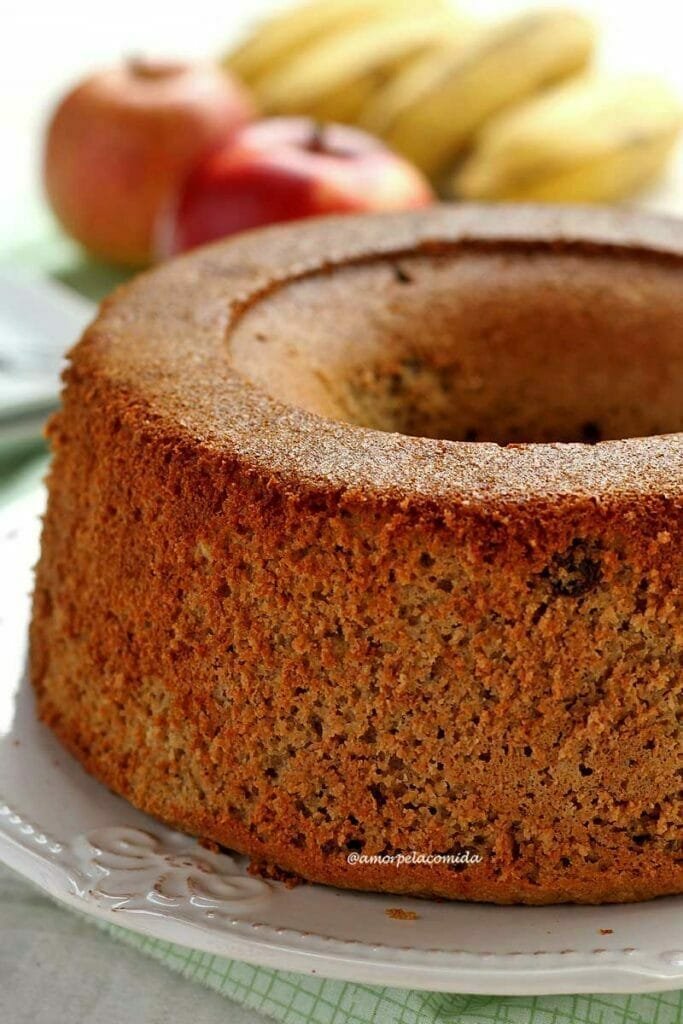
x: 505, y: 111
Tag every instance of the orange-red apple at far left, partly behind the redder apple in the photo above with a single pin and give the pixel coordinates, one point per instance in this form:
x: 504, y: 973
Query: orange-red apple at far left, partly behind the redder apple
x: 121, y: 142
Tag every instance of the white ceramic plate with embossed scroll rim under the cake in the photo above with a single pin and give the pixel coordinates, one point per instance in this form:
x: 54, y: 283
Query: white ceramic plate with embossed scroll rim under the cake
x: 92, y: 850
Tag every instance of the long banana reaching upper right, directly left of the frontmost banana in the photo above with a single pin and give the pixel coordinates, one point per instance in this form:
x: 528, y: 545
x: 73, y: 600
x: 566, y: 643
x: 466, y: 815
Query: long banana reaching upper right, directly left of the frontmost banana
x: 433, y: 111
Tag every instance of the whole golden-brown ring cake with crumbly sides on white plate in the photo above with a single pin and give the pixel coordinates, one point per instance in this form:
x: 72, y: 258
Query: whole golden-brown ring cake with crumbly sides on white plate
x: 364, y: 552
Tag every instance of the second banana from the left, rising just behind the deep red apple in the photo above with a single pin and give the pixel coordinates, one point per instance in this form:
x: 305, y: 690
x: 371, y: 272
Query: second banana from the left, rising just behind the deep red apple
x: 334, y: 78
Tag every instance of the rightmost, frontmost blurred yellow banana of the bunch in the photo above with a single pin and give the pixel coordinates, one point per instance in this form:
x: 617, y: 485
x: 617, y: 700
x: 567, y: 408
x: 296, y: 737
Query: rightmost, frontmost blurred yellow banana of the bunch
x: 589, y: 141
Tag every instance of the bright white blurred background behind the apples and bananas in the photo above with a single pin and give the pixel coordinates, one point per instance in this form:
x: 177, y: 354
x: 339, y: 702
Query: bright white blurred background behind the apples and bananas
x: 48, y: 48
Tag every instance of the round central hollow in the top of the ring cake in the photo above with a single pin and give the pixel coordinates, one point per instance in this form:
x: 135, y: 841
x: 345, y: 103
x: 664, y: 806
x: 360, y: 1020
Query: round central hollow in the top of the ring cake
x: 479, y: 347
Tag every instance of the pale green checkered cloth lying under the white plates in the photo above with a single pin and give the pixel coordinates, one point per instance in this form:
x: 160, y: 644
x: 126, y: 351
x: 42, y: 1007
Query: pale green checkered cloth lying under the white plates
x: 286, y: 997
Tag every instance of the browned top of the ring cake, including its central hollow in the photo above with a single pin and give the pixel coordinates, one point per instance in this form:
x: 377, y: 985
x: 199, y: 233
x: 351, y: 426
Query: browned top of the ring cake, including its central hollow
x: 460, y: 354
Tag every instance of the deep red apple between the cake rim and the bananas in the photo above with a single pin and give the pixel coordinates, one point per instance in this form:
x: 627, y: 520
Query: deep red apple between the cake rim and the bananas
x: 284, y: 169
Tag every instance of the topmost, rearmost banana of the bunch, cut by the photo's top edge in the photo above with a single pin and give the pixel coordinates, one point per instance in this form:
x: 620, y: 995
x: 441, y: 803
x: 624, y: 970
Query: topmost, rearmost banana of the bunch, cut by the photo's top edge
x: 281, y: 38
